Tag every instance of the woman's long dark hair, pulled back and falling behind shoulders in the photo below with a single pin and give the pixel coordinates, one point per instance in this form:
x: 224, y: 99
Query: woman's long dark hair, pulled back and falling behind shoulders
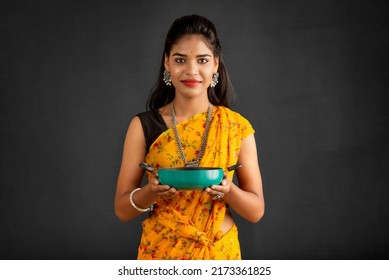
x: 161, y: 94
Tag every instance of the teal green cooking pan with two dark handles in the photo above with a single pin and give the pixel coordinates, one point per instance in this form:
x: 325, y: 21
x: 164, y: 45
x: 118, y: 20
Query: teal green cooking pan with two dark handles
x: 187, y: 178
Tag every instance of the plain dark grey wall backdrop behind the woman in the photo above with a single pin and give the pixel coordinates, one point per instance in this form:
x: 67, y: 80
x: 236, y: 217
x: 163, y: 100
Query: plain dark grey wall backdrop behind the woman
x: 311, y: 76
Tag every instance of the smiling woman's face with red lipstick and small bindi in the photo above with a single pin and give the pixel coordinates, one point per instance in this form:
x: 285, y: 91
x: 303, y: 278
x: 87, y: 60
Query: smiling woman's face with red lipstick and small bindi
x: 191, y: 65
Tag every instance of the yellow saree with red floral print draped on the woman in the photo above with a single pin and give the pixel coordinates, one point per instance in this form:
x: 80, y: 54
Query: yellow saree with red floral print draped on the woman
x: 187, y: 226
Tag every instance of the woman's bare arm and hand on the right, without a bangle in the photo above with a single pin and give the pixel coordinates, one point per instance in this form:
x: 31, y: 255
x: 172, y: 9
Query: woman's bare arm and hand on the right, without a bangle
x: 247, y: 200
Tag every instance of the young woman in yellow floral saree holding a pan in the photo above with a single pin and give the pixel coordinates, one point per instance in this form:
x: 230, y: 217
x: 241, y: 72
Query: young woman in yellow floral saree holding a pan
x: 190, y: 124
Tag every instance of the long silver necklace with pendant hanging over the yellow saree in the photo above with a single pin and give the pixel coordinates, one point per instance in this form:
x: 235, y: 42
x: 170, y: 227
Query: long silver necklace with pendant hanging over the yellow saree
x: 194, y: 163
